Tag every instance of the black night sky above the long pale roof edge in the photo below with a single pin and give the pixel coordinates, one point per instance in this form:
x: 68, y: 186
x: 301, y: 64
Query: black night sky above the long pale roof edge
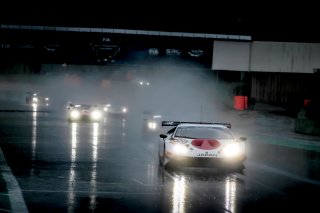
x: 270, y: 21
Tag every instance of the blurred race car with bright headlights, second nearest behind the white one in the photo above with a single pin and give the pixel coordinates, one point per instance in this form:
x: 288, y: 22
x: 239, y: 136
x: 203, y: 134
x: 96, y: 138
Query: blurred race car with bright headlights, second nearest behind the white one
x: 84, y: 112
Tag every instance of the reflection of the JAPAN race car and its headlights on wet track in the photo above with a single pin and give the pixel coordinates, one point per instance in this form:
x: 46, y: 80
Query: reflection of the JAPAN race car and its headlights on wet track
x: 208, y: 190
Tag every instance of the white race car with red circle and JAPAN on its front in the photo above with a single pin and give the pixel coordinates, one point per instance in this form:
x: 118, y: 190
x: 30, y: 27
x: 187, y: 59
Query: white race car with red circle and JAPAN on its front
x: 207, y: 143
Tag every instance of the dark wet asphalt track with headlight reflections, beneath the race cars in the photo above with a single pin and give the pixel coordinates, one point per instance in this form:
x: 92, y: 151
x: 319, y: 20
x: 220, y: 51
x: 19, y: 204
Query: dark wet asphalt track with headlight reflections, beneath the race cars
x: 113, y: 167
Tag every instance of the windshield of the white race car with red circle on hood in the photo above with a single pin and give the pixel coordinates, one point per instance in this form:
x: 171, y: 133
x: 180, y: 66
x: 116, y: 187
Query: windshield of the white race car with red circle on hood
x: 203, y: 132
